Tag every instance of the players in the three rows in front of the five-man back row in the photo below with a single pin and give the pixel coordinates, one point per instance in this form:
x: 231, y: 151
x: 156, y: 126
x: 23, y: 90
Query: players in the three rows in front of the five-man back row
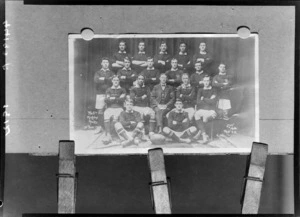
x: 150, y: 106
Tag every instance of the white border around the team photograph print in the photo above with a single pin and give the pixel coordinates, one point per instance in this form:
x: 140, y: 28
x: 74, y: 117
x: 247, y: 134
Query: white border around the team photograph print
x: 168, y: 151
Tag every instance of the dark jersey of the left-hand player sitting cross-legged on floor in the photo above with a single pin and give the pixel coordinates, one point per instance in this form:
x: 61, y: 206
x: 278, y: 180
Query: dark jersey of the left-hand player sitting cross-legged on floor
x: 127, y: 116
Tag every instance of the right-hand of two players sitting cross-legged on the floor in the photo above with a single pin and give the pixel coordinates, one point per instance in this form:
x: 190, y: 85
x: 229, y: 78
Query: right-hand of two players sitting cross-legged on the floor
x: 179, y: 128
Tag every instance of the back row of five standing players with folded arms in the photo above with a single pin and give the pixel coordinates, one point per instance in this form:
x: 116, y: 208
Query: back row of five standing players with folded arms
x: 162, y: 60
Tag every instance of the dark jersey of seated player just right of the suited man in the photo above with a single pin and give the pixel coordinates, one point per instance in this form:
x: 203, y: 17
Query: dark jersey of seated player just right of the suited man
x: 188, y: 95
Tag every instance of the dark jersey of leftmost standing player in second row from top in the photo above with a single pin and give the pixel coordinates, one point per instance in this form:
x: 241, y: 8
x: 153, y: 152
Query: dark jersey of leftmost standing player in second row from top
x: 102, y: 85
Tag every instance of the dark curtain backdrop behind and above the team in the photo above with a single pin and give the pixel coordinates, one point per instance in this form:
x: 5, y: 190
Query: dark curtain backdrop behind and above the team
x: 236, y: 53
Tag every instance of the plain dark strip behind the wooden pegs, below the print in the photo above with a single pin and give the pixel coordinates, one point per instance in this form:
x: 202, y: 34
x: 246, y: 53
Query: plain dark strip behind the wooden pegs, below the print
x: 119, y: 184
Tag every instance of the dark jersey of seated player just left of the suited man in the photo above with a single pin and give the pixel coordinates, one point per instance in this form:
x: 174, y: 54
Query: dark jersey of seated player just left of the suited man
x: 136, y: 94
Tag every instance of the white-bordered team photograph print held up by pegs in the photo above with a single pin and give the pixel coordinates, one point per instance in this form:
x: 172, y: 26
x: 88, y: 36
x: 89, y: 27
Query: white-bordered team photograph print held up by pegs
x: 185, y: 93
